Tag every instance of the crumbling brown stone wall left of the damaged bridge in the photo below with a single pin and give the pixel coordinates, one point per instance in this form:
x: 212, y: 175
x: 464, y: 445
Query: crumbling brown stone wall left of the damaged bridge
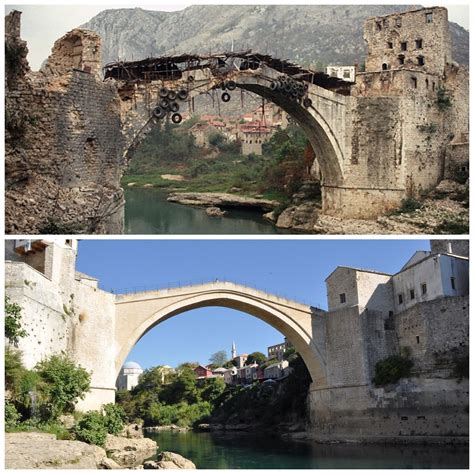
x: 63, y: 145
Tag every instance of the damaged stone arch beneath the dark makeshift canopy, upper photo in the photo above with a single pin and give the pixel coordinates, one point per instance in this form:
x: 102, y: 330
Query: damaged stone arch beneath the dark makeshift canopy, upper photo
x: 323, y: 121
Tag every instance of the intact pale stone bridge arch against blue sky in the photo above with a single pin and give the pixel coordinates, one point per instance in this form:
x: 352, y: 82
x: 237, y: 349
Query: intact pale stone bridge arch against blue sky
x: 137, y: 314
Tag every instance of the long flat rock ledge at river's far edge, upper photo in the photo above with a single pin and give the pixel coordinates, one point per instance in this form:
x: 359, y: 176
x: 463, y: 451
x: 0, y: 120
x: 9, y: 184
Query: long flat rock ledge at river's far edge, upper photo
x: 222, y: 200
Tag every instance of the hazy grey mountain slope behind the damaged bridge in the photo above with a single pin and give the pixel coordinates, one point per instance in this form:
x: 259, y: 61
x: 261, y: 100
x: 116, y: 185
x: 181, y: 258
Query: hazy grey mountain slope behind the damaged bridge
x: 306, y: 34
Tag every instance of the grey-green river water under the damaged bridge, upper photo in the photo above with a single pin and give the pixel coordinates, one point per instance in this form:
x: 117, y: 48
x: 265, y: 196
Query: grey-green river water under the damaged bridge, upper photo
x: 148, y: 212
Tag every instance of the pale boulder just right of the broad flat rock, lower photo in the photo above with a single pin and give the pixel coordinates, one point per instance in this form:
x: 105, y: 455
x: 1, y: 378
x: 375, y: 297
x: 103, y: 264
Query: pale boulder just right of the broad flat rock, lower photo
x: 129, y: 452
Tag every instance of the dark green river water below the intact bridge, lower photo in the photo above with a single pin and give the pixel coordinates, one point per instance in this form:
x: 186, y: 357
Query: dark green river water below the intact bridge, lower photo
x: 247, y: 451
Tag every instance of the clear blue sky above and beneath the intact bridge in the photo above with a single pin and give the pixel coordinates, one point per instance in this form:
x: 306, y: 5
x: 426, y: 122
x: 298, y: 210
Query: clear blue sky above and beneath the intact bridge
x: 292, y: 268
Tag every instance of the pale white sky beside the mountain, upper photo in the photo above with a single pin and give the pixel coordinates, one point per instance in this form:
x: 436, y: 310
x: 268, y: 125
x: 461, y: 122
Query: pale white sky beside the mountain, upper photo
x: 44, y: 24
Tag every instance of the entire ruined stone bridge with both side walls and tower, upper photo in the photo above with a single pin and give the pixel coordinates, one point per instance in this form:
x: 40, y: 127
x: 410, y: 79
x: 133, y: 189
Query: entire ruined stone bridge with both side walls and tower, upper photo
x: 394, y: 133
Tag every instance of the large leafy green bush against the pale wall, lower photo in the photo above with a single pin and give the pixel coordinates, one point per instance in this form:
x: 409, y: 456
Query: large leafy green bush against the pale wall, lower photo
x: 63, y: 383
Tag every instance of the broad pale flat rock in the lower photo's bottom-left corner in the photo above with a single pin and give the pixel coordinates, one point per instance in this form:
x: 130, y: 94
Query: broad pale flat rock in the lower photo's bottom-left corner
x: 44, y: 451
